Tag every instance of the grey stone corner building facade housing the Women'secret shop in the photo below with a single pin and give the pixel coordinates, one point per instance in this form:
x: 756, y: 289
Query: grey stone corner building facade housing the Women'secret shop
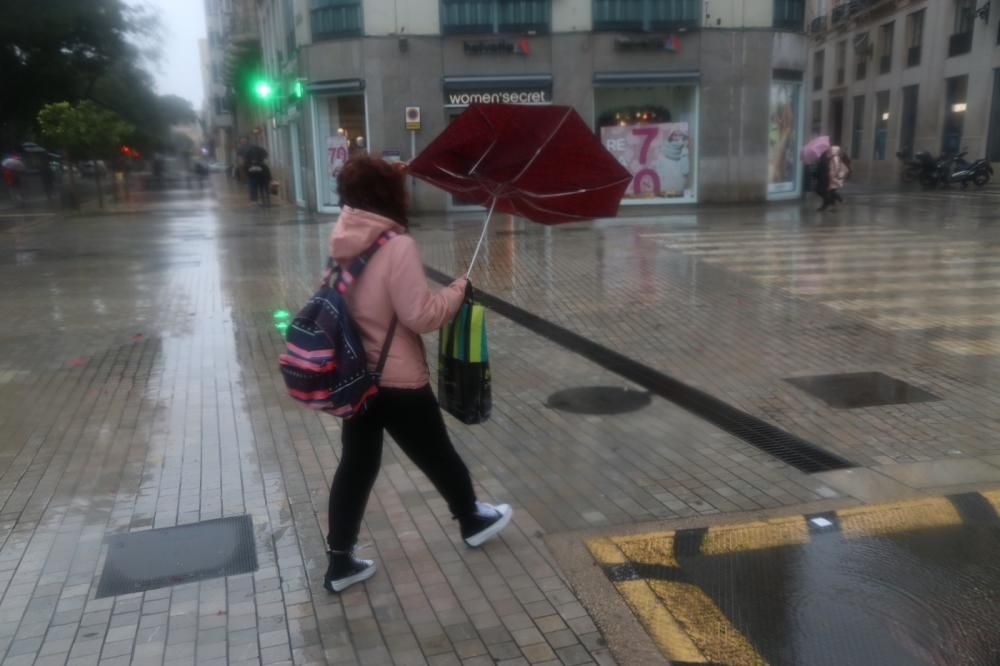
x: 703, y: 100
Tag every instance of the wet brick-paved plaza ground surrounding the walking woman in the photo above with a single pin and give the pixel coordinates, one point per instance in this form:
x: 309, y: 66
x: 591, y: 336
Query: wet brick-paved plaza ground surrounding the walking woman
x: 139, y: 390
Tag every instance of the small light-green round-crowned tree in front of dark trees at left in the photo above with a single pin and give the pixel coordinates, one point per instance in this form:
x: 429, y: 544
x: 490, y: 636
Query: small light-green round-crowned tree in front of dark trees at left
x: 83, y: 131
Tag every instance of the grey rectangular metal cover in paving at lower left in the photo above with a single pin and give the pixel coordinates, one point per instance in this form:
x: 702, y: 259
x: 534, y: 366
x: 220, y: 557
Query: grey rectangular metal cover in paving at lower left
x: 151, y: 559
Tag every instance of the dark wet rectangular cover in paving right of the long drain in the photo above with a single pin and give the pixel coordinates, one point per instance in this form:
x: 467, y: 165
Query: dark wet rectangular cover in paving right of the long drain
x: 861, y: 389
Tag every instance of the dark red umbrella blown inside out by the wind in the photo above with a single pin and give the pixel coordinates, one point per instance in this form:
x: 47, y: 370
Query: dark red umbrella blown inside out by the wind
x: 539, y: 162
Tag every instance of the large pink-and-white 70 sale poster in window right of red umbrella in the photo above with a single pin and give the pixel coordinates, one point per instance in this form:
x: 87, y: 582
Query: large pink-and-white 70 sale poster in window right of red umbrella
x: 658, y: 155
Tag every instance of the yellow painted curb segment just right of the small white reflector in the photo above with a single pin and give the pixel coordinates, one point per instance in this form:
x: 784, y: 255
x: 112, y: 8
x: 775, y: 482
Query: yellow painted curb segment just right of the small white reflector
x: 897, y: 517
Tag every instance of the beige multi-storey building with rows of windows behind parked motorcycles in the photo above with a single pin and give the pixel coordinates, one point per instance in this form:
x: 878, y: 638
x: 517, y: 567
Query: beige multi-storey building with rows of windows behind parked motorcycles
x: 901, y: 76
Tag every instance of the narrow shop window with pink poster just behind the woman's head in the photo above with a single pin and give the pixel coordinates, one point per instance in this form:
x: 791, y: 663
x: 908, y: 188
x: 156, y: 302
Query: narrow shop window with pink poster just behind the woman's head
x: 340, y: 129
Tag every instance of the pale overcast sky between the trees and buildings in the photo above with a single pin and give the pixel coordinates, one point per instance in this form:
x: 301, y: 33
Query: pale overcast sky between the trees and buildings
x: 180, y: 69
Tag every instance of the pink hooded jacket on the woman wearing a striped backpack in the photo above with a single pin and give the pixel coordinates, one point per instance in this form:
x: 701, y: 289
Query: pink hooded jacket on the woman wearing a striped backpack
x: 393, y: 282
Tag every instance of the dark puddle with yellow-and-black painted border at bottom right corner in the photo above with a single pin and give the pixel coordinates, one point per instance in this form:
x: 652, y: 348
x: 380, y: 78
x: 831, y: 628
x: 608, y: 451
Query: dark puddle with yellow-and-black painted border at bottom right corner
x: 909, y: 583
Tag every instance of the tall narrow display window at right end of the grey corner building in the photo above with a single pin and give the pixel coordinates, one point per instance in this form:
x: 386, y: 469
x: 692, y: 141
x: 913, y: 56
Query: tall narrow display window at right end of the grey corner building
x: 784, y: 136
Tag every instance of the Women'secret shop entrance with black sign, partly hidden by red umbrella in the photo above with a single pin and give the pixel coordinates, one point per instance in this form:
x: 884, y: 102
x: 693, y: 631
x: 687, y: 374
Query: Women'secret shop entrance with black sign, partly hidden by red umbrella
x: 462, y: 91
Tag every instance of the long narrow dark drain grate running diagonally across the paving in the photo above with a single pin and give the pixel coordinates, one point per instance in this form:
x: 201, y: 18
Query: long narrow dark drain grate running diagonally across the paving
x: 774, y: 441
